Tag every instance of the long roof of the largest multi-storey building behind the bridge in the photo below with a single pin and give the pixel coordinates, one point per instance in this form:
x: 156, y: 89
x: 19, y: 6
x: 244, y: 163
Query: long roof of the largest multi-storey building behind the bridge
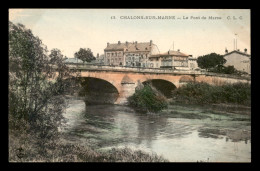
x: 130, y: 47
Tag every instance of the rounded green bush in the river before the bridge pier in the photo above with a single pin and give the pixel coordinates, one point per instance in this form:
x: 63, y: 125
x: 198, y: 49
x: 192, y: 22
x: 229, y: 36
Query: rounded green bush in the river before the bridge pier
x: 148, y: 99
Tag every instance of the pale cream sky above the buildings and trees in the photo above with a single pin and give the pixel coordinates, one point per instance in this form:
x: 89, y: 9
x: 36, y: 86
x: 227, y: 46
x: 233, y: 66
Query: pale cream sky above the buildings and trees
x: 192, y: 31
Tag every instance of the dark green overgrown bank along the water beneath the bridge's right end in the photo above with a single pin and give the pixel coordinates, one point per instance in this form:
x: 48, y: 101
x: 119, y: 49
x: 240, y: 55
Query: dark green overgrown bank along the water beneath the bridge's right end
x: 203, y: 93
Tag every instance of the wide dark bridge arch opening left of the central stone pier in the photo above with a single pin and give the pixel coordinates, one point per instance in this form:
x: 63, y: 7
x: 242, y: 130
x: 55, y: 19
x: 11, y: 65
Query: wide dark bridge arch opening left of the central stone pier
x: 97, y: 91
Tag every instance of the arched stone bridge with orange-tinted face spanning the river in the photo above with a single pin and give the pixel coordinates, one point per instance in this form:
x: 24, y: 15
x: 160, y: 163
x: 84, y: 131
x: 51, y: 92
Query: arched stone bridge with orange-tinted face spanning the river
x: 125, y: 80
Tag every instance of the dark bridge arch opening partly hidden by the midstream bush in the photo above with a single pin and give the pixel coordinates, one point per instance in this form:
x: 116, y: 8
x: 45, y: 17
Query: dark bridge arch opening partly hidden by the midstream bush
x: 164, y: 86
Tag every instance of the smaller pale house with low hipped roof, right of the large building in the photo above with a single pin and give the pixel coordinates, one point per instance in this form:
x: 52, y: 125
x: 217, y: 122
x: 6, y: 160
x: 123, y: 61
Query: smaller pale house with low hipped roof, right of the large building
x: 170, y: 59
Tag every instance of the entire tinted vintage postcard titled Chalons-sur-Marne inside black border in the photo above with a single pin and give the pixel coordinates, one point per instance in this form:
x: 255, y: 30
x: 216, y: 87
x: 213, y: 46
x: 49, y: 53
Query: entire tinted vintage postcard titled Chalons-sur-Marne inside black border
x: 129, y: 85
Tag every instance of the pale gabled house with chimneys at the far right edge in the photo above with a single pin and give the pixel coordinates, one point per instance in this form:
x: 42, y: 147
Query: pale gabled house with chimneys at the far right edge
x: 240, y: 60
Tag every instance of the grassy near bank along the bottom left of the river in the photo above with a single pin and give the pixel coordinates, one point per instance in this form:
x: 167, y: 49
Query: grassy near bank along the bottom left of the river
x: 22, y: 149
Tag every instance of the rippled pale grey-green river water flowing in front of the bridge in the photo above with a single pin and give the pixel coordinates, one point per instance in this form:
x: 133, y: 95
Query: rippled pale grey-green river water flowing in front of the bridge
x: 182, y: 133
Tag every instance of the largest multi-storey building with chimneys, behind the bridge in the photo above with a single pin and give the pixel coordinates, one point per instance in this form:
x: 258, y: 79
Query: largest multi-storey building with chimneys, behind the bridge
x: 129, y: 54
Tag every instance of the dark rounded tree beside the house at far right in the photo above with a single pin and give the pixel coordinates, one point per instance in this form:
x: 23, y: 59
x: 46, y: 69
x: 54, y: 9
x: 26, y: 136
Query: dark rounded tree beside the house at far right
x: 211, y: 61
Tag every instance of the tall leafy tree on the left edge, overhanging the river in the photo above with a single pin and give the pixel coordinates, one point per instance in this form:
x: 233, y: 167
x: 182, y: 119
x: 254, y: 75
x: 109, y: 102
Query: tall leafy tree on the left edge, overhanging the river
x: 36, y: 86
